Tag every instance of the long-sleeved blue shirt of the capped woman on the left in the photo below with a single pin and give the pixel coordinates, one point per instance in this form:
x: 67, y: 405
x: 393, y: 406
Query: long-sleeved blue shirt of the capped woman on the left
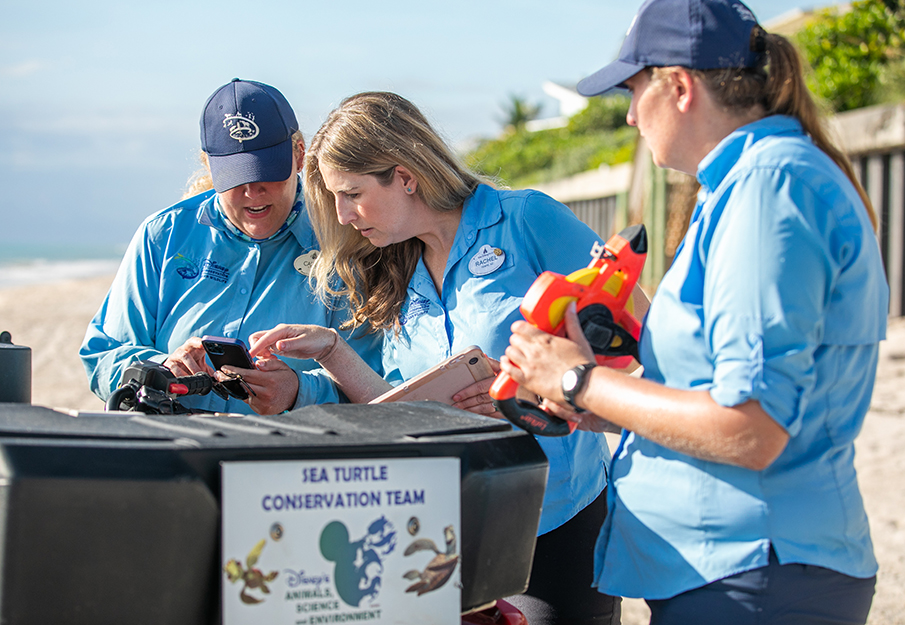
x: 187, y: 272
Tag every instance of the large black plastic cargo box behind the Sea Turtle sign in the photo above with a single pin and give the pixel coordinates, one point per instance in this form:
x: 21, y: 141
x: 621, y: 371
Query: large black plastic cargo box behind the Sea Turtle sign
x: 115, y: 517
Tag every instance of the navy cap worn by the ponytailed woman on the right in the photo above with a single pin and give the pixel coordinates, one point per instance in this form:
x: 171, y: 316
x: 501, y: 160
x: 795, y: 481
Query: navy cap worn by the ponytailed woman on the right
x: 697, y: 34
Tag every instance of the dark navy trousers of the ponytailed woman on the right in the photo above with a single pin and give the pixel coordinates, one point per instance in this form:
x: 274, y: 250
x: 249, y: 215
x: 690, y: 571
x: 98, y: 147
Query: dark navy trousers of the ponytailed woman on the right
x: 788, y: 594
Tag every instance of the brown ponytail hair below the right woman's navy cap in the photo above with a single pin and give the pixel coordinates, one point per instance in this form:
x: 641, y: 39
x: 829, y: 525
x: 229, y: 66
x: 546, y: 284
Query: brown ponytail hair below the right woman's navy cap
x: 777, y: 85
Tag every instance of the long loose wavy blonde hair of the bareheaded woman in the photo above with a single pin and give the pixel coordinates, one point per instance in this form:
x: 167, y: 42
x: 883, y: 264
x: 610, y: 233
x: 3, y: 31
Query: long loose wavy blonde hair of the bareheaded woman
x: 372, y: 133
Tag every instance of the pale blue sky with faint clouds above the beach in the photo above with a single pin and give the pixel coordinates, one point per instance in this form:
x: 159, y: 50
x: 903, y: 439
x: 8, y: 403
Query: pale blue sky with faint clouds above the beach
x: 101, y: 98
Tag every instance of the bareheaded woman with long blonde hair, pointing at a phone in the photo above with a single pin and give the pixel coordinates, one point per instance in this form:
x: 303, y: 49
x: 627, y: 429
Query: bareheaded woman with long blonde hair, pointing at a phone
x: 437, y: 260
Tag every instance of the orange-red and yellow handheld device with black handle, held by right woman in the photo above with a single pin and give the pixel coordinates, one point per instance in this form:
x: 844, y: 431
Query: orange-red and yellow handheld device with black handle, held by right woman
x: 601, y: 291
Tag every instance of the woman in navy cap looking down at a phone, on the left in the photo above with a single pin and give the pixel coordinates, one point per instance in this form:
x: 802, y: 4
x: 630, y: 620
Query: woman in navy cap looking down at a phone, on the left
x: 226, y: 262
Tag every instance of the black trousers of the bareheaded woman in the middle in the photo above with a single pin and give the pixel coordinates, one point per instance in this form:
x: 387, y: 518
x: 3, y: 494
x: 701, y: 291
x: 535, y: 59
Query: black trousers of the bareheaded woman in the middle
x: 560, y: 591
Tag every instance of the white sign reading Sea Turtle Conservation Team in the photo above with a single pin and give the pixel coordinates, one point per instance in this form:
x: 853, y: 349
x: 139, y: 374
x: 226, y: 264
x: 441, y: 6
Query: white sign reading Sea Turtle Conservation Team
x: 340, y: 541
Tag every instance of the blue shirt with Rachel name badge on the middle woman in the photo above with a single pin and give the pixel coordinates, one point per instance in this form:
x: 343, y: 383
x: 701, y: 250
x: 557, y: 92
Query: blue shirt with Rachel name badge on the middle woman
x: 504, y: 241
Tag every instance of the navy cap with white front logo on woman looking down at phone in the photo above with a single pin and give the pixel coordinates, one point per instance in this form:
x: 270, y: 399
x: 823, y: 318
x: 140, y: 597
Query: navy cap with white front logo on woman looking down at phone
x: 246, y: 131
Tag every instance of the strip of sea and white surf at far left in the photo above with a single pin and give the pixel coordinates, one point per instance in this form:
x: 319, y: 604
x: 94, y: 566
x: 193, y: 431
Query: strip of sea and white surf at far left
x: 36, y: 263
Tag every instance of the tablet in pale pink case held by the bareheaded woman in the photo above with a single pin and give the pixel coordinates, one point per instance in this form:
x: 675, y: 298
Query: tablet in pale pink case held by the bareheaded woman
x: 442, y: 381
